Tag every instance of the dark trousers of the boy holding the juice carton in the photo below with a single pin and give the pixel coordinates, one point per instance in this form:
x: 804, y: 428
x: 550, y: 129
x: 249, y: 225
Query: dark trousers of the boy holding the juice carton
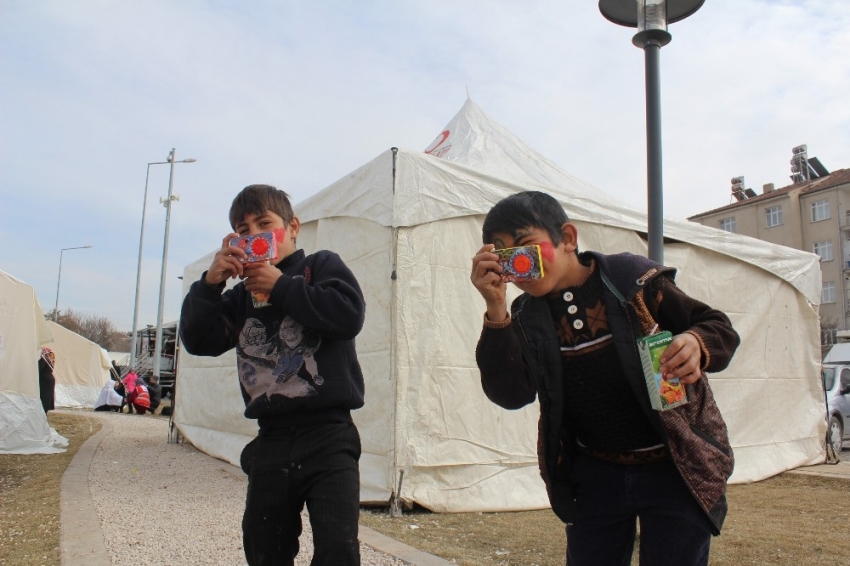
x: 611, y: 498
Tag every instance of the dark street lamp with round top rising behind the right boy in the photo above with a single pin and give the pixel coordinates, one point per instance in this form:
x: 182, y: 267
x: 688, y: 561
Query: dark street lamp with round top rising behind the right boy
x: 650, y: 17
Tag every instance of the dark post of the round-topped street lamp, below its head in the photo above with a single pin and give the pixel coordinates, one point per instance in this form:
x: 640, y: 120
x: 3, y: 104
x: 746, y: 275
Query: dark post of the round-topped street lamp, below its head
x: 654, y: 178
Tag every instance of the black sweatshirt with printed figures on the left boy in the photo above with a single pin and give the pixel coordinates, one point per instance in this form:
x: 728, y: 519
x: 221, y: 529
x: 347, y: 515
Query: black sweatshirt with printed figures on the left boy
x: 295, y: 357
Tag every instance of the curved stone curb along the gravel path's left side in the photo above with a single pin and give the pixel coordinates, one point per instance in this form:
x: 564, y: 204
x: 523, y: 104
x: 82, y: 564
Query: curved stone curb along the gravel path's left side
x: 81, y: 541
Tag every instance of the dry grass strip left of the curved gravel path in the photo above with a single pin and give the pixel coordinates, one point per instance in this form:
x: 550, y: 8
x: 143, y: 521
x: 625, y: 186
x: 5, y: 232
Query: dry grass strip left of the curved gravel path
x: 29, y: 506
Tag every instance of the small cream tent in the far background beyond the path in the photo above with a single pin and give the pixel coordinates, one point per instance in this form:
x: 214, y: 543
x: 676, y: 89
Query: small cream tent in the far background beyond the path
x: 82, y: 367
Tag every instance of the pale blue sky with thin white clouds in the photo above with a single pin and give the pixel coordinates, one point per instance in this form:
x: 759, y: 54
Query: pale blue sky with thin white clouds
x: 298, y: 94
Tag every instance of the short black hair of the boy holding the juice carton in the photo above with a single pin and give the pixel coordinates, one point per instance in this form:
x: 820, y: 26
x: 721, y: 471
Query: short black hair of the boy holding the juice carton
x: 528, y: 209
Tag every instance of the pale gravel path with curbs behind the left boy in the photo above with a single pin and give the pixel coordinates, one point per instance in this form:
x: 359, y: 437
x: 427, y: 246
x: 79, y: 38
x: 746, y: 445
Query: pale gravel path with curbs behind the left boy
x: 86, y: 525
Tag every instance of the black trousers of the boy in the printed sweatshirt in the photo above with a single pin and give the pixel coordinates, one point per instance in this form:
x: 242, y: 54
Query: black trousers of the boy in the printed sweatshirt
x: 291, y: 466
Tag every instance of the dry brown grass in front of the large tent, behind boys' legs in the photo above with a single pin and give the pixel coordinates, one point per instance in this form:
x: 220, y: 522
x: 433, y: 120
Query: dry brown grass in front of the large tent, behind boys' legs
x: 788, y: 520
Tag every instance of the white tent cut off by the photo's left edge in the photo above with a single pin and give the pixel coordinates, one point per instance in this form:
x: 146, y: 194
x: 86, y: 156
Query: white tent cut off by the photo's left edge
x: 23, y: 424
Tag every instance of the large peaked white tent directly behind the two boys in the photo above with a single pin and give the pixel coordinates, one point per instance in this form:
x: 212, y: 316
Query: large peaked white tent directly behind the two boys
x: 407, y: 223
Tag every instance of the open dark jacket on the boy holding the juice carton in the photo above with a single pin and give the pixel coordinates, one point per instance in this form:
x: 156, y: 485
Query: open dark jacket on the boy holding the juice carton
x: 522, y: 361
